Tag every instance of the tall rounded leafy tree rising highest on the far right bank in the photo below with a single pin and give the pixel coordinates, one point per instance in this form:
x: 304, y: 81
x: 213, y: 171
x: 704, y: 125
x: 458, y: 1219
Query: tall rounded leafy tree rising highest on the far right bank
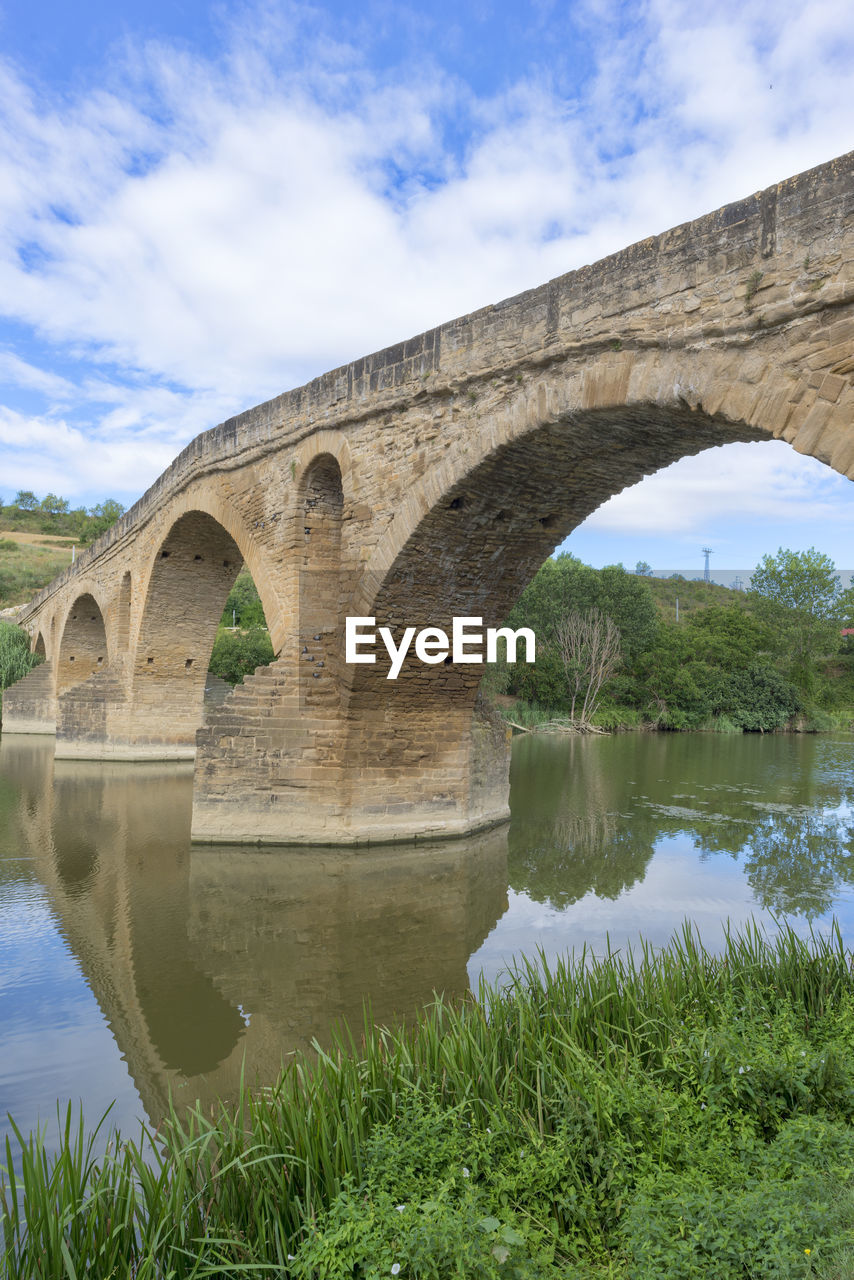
x: 798, y: 596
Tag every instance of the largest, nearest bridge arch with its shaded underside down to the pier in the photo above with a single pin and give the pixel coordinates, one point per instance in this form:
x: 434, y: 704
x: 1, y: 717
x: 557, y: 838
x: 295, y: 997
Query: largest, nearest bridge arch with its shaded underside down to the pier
x: 476, y: 529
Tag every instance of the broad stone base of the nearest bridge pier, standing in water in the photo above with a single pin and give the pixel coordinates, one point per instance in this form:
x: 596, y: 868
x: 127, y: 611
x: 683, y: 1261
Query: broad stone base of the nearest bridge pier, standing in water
x: 267, y: 774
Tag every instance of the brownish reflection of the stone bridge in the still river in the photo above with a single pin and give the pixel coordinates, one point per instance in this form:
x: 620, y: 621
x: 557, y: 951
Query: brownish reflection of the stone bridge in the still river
x: 211, y: 961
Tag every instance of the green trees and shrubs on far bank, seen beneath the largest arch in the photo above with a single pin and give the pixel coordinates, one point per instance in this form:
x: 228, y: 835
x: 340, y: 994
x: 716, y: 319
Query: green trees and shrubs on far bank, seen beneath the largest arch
x: 732, y: 661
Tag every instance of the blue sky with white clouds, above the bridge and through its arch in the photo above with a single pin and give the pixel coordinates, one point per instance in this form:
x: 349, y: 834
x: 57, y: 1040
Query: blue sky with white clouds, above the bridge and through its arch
x: 203, y: 205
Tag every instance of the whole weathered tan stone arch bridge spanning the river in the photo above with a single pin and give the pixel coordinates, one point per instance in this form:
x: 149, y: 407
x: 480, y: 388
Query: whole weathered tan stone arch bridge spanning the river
x: 422, y: 483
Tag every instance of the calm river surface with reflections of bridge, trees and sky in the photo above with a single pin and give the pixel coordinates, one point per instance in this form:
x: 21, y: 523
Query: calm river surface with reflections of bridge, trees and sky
x: 134, y: 964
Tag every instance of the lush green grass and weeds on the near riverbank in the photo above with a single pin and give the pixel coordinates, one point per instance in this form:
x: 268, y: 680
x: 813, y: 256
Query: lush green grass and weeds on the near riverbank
x: 677, y: 1116
